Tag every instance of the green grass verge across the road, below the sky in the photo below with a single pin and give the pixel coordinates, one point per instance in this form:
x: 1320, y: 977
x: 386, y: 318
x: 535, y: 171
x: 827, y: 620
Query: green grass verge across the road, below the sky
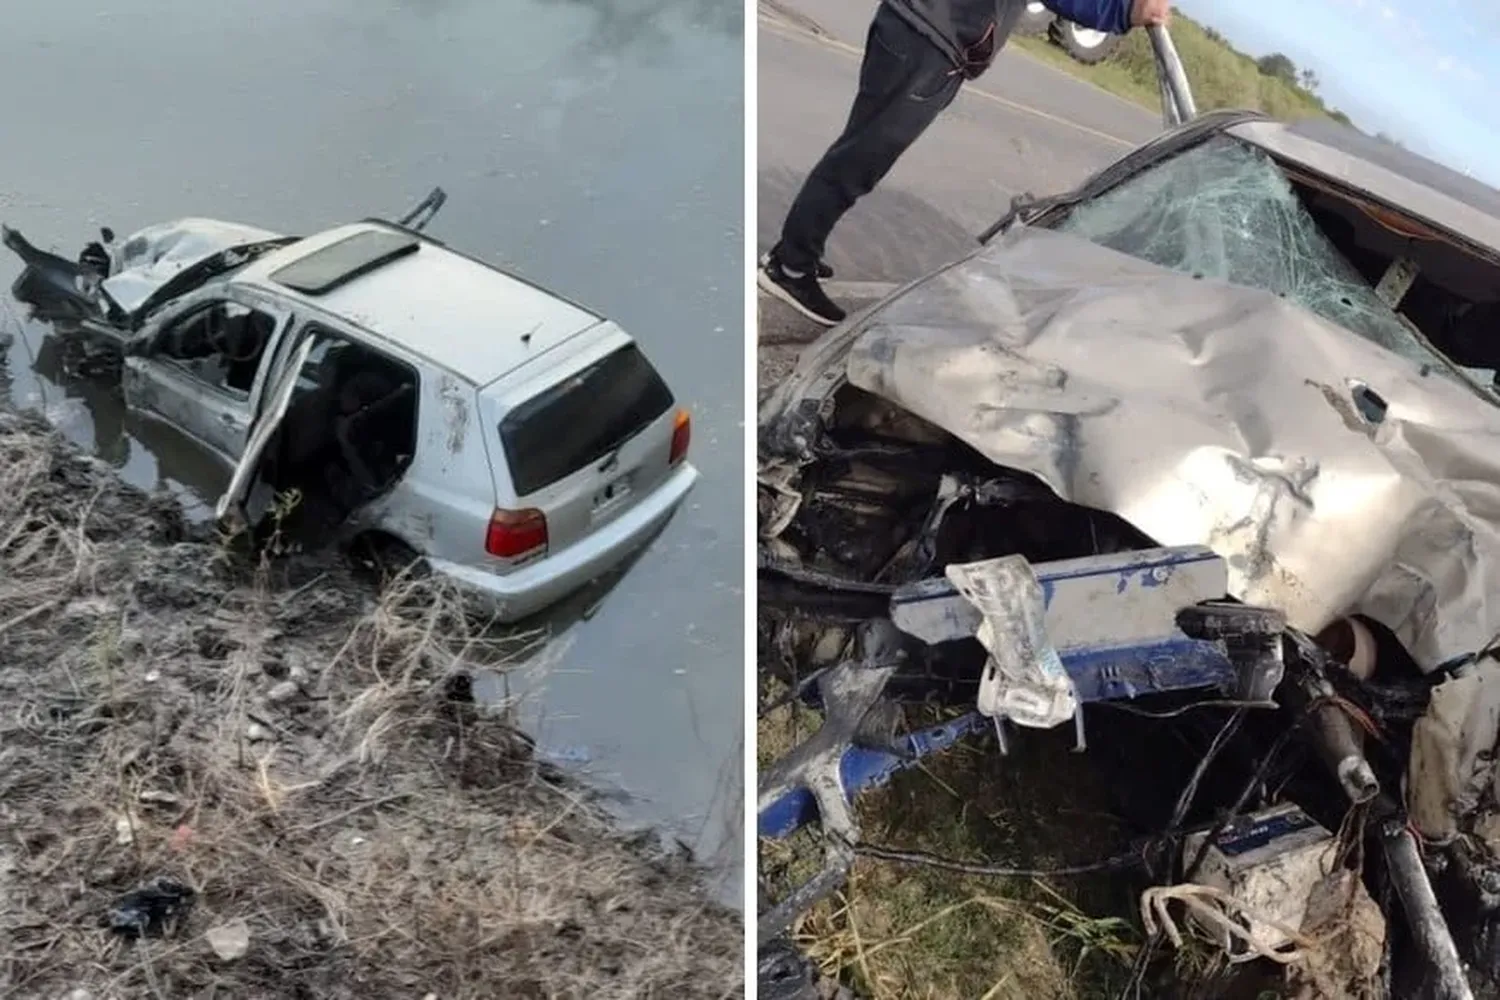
x: 1222, y: 76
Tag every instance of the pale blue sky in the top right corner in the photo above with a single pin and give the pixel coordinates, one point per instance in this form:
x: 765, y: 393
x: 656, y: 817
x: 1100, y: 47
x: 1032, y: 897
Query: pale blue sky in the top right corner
x: 1427, y: 73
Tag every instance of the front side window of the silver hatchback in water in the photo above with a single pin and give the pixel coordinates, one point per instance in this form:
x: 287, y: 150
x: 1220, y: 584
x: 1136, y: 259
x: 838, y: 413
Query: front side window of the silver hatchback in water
x: 221, y: 344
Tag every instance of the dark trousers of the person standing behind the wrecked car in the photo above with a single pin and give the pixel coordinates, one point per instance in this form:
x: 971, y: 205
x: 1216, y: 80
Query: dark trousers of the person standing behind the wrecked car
x: 905, y: 83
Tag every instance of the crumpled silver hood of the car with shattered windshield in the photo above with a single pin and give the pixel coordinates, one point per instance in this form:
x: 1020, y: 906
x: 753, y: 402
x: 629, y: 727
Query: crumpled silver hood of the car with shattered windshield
x: 1210, y: 415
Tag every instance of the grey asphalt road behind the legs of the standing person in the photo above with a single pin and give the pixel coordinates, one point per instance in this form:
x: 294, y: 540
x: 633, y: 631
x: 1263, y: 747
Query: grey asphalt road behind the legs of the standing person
x: 1022, y: 128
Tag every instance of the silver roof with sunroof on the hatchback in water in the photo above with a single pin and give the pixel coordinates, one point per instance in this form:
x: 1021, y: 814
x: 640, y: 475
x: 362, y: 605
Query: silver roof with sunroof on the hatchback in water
x: 458, y: 313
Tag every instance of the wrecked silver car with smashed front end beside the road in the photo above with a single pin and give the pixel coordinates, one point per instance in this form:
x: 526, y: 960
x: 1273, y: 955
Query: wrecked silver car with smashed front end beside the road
x: 1220, y: 431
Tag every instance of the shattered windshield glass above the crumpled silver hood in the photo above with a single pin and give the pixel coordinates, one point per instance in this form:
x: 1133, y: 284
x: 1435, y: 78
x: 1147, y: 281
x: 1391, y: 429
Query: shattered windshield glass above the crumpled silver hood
x: 1225, y: 211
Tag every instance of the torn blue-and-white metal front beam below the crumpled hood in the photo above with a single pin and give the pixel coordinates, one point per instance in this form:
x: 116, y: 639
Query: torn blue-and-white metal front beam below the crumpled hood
x: 1168, y: 641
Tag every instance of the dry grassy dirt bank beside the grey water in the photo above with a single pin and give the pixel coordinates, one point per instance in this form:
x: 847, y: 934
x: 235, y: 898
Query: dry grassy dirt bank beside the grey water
x: 302, y: 767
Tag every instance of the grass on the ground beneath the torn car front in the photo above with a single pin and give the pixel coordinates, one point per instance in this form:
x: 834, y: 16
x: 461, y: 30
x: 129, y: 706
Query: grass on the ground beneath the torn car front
x: 904, y: 932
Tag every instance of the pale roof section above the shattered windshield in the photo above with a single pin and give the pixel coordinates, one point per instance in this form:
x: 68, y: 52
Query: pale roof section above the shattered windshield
x: 1436, y: 194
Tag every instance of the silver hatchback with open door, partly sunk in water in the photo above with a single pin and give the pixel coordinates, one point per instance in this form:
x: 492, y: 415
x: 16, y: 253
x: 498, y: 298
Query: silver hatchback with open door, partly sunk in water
x: 415, y: 401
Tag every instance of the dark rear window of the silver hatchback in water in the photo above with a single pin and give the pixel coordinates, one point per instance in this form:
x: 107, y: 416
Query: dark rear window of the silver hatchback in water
x: 583, y: 419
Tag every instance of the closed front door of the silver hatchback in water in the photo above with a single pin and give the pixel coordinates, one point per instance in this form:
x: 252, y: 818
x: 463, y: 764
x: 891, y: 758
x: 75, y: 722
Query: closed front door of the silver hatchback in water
x: 196, y: 395
